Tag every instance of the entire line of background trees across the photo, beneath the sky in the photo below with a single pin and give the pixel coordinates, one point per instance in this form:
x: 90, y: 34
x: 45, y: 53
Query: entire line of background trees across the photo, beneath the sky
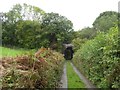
x: 30, y: 27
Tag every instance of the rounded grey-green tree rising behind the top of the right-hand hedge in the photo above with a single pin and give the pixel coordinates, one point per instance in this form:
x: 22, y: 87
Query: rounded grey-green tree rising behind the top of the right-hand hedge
x: 105, y: 21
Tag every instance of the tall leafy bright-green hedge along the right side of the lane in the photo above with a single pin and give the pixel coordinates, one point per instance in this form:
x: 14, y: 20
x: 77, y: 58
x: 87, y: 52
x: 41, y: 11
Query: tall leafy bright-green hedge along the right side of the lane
x: 98, y: 59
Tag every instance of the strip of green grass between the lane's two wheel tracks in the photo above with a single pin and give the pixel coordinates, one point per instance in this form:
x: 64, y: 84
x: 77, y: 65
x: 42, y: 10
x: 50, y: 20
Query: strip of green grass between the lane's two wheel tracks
x: 73, y: 79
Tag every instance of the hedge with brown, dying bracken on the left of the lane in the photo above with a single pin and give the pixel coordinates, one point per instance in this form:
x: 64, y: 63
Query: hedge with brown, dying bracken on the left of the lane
x: 42, y: 70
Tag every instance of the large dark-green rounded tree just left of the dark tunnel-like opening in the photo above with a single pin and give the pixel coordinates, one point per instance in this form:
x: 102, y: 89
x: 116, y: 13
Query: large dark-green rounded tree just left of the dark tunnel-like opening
x: 57, y: 29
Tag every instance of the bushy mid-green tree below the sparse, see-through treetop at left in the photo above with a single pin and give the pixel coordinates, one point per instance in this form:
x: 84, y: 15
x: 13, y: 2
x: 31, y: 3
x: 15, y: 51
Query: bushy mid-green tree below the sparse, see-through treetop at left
x: 27, y: 34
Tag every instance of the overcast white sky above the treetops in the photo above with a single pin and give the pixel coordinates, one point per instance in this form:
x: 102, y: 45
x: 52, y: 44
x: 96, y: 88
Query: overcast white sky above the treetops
x: 81, y: 12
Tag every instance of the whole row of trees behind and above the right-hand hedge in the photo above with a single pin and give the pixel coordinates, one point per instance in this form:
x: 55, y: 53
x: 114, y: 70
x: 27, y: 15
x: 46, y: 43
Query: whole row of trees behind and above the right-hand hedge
x: 103, y: 23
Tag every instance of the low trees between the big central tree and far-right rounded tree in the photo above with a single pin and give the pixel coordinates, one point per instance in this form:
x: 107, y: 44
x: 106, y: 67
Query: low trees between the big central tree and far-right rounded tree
x: 81, y: 36
